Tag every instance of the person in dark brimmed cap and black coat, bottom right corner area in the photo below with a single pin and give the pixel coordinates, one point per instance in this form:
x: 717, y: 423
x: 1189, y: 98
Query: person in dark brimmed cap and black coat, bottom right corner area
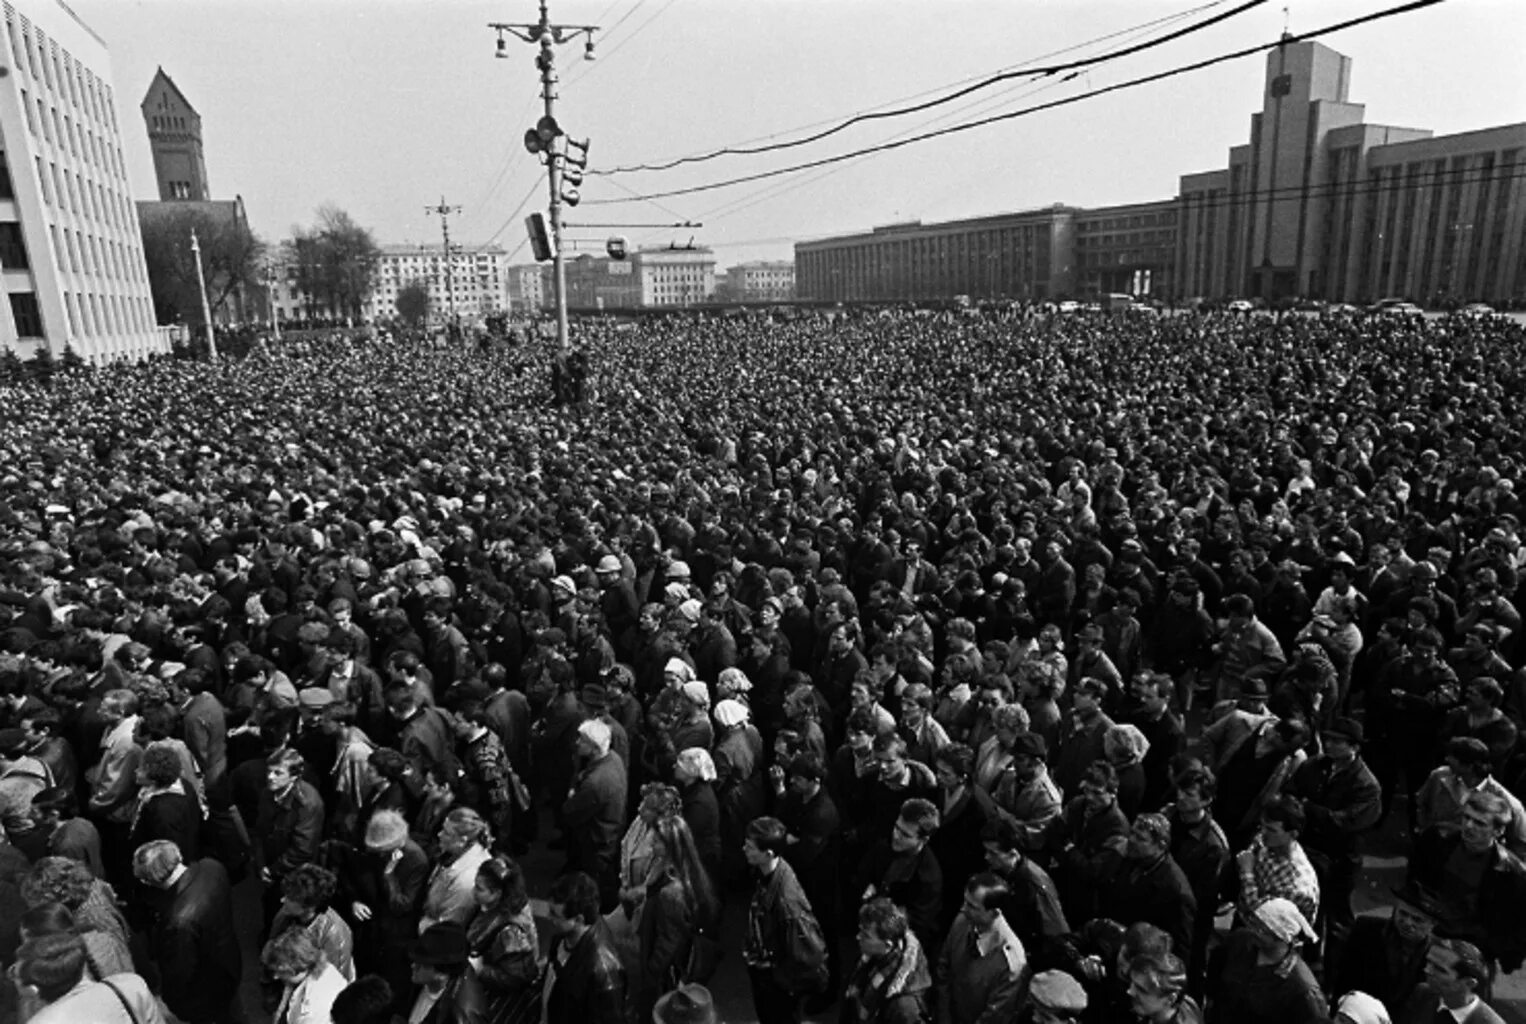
x: 1386, y: 956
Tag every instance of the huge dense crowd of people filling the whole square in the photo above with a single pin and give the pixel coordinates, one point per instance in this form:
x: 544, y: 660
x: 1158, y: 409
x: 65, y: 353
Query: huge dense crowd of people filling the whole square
x: 929, y: 668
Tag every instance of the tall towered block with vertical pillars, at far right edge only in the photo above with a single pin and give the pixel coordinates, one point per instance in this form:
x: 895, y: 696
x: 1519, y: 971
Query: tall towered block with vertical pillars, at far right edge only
x: 1322, y: 205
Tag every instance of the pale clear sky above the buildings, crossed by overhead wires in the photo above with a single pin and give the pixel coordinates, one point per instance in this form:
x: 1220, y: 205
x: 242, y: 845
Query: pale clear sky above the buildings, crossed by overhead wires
x: 387, y: 106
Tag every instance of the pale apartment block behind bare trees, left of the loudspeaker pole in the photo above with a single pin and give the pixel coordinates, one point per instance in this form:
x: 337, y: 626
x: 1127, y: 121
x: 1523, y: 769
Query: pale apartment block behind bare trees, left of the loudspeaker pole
x: 475, y: 283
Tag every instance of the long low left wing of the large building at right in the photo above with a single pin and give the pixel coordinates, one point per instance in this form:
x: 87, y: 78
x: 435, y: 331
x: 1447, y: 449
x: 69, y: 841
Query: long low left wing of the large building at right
x: 1028, y: 256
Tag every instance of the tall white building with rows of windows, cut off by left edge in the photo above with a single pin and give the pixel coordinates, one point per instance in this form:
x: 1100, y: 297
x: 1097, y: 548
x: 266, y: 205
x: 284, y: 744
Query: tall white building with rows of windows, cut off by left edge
x: 69, y: 240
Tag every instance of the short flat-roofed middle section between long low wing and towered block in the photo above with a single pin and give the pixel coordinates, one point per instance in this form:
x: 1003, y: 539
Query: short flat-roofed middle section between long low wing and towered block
x: 1127, y: 250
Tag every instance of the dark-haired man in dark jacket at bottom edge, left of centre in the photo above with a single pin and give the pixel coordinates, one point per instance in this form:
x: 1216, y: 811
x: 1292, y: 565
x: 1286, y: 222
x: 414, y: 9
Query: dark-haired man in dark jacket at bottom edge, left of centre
x: 590, y: 984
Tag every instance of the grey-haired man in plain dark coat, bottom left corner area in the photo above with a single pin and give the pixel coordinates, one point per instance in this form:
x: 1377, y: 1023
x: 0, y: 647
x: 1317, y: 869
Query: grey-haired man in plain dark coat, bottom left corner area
x: 193, y: 941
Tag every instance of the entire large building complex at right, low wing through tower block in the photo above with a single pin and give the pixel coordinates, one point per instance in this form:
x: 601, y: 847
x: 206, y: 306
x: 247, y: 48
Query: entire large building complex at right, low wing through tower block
x: 1316, y: 205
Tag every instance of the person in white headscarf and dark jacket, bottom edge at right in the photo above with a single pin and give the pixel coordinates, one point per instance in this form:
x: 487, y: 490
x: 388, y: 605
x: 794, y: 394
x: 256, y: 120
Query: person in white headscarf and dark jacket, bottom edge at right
x: 1258, y: 977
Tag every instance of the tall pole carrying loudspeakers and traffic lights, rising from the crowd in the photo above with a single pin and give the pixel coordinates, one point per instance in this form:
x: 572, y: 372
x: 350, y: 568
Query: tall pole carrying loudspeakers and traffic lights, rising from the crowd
x: 542, y: 138
